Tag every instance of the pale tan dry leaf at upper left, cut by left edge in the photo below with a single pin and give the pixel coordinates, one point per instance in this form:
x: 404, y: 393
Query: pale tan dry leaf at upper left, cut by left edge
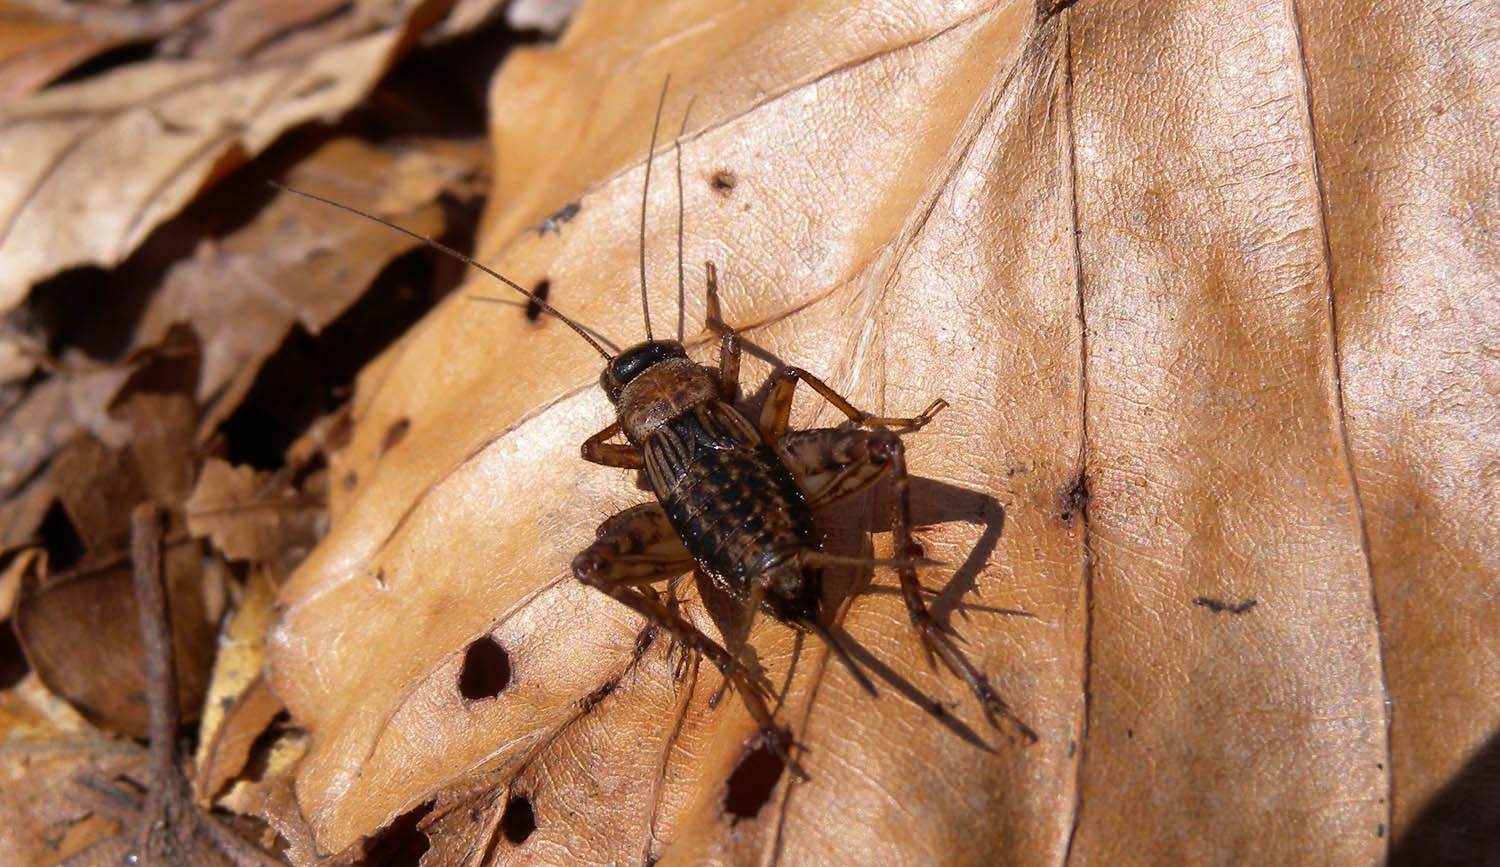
x: 94, y: 167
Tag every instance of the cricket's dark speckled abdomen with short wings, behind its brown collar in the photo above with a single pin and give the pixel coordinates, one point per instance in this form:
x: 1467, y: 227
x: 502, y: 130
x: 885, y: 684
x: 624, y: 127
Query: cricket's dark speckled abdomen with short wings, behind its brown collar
x: 737, y: 509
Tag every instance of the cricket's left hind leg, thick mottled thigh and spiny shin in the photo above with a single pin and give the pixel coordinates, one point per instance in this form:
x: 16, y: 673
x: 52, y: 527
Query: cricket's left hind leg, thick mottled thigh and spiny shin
x: 640, y: 547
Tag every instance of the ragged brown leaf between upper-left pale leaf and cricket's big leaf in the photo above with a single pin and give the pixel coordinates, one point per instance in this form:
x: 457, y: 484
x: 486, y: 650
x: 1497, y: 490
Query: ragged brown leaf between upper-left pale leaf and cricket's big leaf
x: 292, y: 266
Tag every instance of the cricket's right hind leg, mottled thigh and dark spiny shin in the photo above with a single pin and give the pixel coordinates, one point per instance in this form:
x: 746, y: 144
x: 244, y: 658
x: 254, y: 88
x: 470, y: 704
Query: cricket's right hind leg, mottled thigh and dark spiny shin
x: 833, y: 464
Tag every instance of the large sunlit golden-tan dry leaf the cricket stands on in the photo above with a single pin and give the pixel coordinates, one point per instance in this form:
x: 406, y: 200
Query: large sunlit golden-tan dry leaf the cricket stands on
x: 1210, y: 293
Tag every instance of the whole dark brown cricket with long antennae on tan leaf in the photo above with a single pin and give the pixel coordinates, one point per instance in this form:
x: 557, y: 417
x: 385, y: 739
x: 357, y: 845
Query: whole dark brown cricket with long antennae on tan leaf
x: 736, y: 499
